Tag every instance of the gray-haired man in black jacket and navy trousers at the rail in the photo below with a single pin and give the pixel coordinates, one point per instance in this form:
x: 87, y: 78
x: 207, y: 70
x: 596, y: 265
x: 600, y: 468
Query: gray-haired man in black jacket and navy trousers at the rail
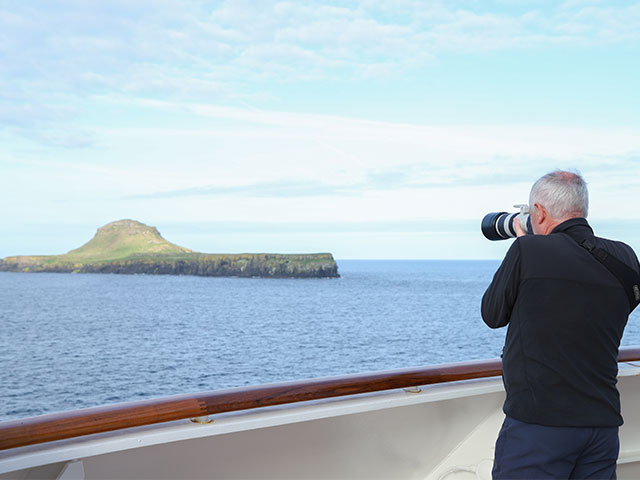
x: 565, y: 312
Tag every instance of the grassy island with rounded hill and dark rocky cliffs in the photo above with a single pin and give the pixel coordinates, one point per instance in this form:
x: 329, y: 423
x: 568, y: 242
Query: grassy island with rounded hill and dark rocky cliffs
x: 128, y: 246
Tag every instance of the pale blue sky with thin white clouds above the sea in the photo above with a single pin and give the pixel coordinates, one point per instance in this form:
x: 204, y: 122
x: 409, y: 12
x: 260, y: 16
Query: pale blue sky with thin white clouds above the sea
x: 373, y: 129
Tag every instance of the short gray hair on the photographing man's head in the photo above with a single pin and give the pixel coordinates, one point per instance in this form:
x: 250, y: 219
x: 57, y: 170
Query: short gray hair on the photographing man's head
x: 564, y: 194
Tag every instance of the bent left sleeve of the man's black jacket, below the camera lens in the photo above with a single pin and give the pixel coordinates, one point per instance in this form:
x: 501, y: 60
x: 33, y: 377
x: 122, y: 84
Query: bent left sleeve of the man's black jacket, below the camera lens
x: 500, y: 297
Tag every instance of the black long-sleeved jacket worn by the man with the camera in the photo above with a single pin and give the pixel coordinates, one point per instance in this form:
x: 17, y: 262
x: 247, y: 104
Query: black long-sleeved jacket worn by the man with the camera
x: 566, y: 313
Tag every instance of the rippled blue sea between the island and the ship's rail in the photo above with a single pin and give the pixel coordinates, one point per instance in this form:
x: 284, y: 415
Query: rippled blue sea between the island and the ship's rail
x: 70, y: 341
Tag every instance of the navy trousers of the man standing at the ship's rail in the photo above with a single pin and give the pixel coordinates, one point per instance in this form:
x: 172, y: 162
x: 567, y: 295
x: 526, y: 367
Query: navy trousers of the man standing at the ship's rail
x: 529, y: 451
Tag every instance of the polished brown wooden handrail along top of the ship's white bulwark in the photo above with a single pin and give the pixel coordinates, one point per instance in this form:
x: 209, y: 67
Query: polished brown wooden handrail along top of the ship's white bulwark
x: 58, y: 426
